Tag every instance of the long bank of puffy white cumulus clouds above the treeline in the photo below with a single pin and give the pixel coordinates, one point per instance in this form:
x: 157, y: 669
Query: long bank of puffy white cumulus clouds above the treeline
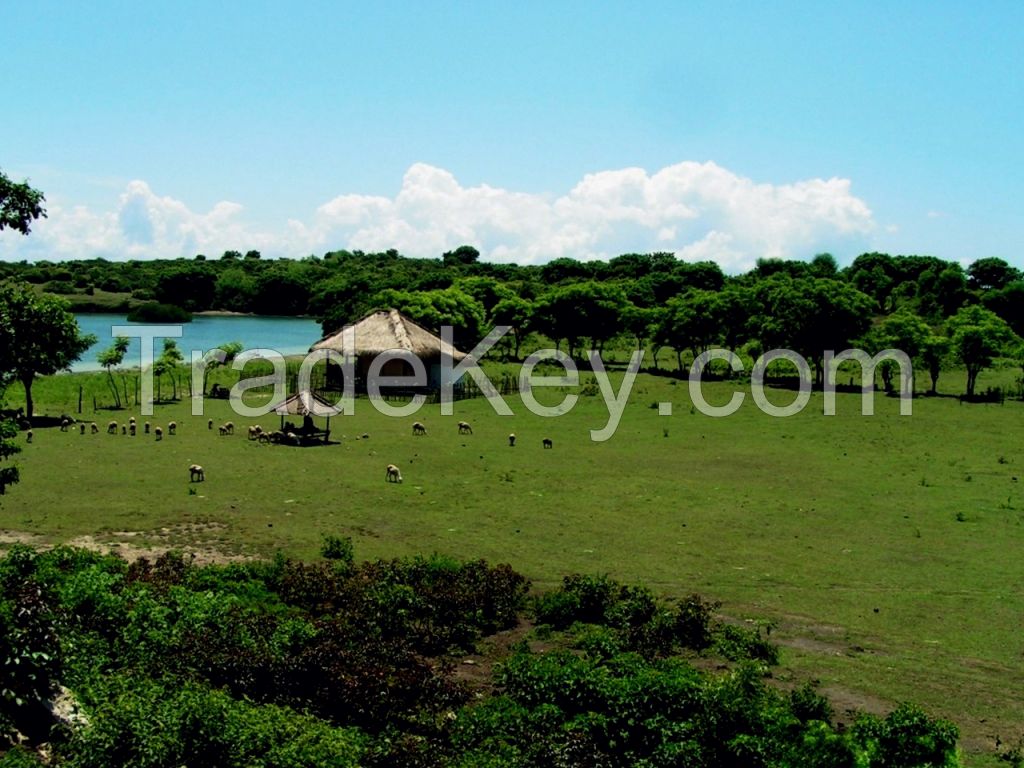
x: 697, y: 210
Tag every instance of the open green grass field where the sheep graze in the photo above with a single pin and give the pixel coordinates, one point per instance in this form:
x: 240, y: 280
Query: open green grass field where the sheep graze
x: 885, y: 550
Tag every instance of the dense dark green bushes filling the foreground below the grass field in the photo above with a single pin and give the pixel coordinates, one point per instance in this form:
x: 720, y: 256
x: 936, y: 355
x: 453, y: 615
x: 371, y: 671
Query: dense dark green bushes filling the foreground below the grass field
x: 343, y: 664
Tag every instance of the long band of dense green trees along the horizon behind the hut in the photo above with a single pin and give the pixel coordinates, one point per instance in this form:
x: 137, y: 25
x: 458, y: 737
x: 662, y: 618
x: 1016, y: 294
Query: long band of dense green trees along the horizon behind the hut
x: 648, y: 300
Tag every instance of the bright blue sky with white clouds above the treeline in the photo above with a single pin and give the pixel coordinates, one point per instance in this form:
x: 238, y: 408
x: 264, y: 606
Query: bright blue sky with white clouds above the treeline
x: 532, y: 131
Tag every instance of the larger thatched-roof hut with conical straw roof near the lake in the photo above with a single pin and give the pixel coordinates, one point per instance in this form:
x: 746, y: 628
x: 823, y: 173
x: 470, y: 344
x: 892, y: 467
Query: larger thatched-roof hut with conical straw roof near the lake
x: 389, y: 332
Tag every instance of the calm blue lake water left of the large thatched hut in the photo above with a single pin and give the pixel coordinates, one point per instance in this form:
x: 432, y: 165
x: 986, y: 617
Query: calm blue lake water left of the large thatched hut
x: 287, y: 335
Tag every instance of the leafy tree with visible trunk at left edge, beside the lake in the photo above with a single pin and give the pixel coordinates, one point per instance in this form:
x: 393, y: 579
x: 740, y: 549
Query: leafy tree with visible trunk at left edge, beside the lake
x: 38, y: 336
